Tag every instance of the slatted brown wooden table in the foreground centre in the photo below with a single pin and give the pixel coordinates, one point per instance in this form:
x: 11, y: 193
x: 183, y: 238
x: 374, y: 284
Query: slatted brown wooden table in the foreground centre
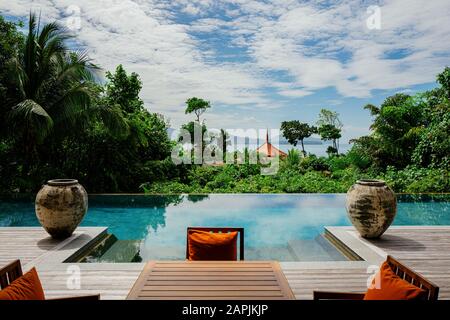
x: 211, y: 280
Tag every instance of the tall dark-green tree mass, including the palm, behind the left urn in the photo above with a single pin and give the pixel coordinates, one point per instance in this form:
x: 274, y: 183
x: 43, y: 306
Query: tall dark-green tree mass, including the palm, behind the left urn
x: 66, y: 125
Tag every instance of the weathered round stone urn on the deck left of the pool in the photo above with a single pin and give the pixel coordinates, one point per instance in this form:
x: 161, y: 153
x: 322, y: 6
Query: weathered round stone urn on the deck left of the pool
x: 60, y: 206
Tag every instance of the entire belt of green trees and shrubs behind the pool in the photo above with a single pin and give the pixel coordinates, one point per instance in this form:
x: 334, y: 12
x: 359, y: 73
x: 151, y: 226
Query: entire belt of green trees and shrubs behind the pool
x: 58, y: 120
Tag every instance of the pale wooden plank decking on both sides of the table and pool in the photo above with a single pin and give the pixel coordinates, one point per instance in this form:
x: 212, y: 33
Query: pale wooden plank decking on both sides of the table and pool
x: 424, y: 249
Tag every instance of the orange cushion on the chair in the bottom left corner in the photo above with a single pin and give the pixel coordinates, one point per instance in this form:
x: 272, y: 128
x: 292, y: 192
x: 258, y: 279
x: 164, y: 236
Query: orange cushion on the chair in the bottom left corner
x: 27, y: 287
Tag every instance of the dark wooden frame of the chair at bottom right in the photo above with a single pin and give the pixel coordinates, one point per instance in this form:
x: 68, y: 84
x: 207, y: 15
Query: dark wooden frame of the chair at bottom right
x: 399, y: 269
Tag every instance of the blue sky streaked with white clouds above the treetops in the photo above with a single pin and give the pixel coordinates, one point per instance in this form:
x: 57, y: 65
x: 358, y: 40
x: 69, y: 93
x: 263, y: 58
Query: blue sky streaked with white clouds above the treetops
x: 260, y: 62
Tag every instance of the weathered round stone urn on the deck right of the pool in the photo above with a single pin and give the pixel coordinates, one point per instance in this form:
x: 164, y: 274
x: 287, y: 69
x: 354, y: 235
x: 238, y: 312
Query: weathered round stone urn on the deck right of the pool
x: 371, y: 207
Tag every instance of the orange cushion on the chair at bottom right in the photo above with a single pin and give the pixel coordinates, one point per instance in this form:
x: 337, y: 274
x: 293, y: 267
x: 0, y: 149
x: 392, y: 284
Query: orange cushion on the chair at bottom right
x: 392, y: 287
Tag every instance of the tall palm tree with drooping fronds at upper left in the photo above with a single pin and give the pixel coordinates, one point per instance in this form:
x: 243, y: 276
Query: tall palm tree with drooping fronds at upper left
x: 54, y: 84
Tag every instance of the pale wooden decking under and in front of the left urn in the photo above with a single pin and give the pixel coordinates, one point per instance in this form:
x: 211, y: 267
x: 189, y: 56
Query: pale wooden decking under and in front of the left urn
x: 34, y: 247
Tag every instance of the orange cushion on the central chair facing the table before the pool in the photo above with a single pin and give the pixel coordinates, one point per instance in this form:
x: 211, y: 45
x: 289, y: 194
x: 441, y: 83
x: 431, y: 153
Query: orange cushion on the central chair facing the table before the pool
x: 204, y: 245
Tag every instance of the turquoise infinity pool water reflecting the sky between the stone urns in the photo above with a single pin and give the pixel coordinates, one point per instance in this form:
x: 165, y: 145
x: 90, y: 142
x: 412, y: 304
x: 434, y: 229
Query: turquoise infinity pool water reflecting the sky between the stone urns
x: 281, y: 227
